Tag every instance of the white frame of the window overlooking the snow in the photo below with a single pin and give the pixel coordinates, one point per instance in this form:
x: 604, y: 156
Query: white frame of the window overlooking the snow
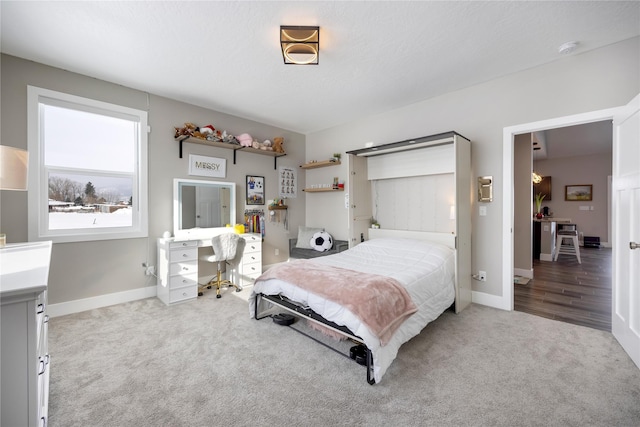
x: 38, y: 193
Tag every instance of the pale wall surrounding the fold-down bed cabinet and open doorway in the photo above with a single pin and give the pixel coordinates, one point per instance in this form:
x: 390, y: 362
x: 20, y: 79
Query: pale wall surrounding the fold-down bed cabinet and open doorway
x: 604, y: 78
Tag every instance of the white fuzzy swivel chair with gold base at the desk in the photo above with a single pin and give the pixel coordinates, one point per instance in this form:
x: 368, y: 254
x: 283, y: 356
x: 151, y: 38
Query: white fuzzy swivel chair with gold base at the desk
x: 227, y: 248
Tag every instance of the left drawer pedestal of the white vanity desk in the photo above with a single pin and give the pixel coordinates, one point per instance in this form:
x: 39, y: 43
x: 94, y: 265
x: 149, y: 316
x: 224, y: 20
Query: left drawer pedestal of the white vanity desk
x: 177, y: 270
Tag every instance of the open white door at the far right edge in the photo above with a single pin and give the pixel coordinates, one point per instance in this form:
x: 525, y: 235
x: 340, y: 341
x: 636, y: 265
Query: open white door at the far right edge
x: 626, y: 231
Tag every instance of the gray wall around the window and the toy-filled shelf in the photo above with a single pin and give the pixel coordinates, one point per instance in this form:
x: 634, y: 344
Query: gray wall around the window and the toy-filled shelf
x: 90, y: 269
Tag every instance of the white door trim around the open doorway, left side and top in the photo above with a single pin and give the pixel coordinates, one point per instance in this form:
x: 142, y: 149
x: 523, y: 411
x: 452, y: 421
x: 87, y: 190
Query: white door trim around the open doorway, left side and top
x: 508, y: 133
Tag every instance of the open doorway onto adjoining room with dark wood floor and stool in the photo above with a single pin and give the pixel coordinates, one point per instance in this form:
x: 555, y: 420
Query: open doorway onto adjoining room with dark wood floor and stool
x: 564, y: 290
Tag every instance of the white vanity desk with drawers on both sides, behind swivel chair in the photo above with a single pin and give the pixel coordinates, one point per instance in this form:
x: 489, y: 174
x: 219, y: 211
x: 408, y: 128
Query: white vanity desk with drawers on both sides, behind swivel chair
x: 178, y: 266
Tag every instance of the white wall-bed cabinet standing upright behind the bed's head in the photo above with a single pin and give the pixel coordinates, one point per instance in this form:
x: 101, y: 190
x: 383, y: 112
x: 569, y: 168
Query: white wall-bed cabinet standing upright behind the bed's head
x: 443, y: 163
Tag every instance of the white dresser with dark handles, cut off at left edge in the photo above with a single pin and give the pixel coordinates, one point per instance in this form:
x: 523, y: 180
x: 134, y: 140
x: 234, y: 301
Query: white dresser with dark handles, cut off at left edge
x: 24, y: 346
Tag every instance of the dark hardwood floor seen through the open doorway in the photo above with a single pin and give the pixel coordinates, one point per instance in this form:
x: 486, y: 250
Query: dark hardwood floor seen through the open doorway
x: 570, y: 292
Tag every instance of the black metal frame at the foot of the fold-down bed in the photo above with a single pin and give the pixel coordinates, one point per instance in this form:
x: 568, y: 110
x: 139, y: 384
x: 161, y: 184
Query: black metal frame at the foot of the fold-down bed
x: 306, y: 313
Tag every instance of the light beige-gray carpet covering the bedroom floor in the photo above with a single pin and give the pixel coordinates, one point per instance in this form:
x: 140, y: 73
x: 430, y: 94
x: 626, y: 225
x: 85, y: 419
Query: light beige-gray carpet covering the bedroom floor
x: 206, y: 363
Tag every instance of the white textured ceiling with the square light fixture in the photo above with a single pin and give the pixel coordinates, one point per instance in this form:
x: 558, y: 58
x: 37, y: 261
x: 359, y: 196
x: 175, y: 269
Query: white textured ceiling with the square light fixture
x: 374, y: 56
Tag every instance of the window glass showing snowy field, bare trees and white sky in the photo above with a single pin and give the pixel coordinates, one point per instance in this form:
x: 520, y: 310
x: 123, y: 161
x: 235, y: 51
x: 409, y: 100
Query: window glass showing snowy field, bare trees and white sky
x: 90, y: 170
